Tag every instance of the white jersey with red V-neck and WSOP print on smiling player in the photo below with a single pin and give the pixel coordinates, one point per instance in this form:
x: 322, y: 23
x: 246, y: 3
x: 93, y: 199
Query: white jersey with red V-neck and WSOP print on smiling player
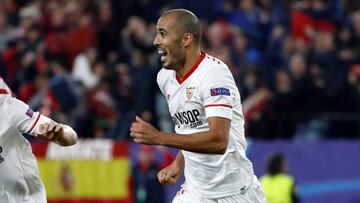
x: 209, y: 90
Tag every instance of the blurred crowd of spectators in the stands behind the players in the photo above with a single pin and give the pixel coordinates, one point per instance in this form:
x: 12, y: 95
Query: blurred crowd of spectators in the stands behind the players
x: 91, y: 63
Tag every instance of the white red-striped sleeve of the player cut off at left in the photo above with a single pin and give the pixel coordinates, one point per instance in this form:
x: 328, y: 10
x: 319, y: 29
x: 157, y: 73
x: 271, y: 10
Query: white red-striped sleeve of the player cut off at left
x: 23, y: 117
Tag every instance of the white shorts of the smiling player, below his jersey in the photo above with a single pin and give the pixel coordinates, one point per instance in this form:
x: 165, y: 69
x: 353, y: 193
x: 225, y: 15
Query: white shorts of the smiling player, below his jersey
x: 254, y: 194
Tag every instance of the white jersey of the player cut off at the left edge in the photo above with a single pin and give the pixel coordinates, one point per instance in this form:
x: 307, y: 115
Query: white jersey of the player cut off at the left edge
x: 19, y: 175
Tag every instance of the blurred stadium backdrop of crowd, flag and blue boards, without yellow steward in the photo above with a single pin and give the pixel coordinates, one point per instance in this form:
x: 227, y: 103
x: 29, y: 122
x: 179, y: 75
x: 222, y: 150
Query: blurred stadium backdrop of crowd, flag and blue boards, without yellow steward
x: 91, y: 64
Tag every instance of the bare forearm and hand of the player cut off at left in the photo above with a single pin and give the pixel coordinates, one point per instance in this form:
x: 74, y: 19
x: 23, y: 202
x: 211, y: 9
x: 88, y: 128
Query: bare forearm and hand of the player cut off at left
x: 59, y: 133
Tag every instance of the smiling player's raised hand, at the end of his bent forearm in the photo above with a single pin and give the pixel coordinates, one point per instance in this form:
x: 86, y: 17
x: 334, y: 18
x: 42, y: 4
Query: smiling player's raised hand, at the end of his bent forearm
x: 143, y: 132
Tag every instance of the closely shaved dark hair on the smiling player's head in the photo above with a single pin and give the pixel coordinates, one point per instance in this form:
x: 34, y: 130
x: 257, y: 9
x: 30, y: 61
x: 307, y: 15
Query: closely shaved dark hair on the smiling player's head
x: 187, y: 22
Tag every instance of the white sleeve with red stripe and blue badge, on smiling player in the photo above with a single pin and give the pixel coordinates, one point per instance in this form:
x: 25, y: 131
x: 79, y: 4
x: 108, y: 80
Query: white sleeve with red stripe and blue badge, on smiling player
x: 218, y: 93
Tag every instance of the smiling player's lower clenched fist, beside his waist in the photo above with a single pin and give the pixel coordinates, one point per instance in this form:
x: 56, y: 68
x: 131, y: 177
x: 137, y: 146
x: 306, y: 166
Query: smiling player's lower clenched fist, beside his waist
x: 169, y: 175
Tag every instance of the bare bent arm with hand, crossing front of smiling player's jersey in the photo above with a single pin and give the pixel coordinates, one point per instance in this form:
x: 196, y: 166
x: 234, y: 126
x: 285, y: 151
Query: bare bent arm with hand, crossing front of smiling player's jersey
x: 213, y: 141
